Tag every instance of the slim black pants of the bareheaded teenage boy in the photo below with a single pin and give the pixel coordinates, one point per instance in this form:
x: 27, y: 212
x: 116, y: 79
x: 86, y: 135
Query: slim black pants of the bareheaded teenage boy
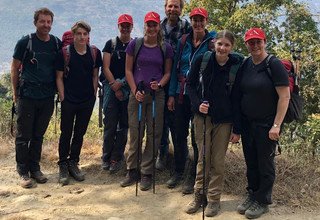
x: 74, y: 123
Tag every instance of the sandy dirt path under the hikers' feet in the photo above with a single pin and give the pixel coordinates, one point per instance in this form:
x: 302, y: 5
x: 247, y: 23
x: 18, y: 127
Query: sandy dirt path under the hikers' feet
x: 101, y: 197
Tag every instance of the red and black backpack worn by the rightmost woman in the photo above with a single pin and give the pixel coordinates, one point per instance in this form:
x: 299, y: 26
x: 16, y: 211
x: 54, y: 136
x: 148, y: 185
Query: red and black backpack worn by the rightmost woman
x: 296, y: 102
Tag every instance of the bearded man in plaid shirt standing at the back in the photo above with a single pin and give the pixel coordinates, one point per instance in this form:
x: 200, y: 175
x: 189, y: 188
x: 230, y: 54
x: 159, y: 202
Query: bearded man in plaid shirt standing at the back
x: 173, y: 27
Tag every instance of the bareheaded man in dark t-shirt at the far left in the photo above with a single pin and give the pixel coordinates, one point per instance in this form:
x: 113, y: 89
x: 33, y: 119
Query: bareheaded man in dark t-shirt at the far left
x: 33, y: 88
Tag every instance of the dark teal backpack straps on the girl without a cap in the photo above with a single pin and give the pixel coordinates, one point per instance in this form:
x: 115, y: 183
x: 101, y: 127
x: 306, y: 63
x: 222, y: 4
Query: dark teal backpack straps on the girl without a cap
x: 233, y: 70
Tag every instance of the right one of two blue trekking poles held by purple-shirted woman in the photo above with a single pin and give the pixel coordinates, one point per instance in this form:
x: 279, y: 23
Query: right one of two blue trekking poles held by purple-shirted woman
x: 153, y: 139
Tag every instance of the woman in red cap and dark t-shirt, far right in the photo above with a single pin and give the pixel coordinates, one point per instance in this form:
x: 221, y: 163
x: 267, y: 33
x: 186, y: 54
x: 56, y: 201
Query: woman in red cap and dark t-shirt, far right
x: 263, y: 102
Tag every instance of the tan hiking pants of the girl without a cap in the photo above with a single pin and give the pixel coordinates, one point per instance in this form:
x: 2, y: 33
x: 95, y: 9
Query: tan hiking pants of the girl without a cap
x: 217, y: 140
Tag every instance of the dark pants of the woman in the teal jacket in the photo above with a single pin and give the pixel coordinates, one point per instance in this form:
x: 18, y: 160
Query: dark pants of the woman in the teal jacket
x: 183, y: 117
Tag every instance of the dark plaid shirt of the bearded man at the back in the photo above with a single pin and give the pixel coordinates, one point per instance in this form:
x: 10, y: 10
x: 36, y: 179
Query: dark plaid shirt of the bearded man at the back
x: 172, y: 37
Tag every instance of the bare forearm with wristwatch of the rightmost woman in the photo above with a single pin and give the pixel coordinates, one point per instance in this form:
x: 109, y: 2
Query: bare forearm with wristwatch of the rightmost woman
x: 283, y: 102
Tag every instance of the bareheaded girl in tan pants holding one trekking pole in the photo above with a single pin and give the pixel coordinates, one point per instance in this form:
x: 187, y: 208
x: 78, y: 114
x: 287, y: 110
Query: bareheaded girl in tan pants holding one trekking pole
x: 209, y: 86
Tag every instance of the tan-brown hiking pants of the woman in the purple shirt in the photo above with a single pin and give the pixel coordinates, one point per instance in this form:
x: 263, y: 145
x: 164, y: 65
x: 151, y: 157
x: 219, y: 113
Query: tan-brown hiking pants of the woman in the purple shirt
x: 146, y: 155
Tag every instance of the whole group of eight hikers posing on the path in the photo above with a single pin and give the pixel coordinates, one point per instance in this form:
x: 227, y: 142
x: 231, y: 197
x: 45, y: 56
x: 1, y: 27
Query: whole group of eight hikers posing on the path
x: 176, y: 77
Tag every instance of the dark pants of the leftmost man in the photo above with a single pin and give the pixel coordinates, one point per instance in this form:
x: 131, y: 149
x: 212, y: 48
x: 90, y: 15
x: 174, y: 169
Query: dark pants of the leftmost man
x: 33, y: 117
